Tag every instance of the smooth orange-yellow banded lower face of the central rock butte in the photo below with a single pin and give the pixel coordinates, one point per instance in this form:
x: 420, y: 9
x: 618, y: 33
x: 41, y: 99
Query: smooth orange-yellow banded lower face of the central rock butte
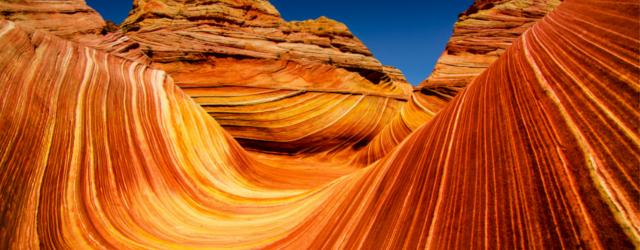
x: 287, y: 107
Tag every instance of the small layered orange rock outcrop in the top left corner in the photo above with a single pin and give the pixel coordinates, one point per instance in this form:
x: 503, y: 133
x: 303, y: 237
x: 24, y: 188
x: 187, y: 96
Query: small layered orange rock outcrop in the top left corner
x: 69, y: 19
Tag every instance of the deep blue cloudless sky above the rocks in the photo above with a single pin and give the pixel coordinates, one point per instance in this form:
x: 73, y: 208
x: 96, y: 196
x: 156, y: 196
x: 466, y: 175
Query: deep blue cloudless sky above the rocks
x: 409, y: 34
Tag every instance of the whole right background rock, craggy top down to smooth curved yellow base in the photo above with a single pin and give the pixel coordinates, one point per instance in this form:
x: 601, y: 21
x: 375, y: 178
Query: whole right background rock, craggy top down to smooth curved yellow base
x: 481, y: 35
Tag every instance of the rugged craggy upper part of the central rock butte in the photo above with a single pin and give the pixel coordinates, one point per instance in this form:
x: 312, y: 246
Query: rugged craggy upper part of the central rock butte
x: 173, y: 31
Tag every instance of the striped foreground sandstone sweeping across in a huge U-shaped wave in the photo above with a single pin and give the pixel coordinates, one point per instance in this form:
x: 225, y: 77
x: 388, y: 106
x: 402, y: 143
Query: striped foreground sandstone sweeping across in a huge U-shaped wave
x: 539, y: 151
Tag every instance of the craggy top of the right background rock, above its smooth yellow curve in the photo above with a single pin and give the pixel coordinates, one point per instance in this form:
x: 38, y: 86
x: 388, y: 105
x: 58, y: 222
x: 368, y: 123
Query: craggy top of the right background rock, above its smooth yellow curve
x: 483, y: 33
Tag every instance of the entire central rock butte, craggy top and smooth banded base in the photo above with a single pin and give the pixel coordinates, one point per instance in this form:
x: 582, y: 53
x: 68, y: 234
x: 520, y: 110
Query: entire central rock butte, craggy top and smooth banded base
x: 301, y: 87
